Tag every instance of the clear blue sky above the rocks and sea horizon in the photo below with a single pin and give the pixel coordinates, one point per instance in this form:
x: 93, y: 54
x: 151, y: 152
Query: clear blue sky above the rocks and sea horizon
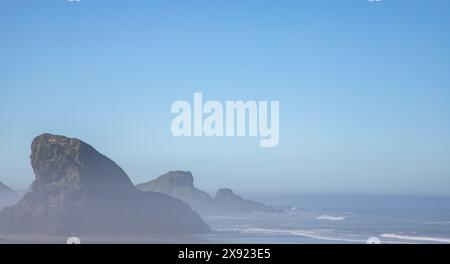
x: 364, y: 89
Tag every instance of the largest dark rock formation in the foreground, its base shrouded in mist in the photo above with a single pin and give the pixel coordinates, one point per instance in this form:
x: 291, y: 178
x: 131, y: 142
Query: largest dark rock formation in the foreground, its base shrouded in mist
x: 80, y: 191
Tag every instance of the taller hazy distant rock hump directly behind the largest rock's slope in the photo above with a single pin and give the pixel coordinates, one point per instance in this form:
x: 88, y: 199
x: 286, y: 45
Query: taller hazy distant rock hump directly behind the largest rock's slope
x: 180, y: 184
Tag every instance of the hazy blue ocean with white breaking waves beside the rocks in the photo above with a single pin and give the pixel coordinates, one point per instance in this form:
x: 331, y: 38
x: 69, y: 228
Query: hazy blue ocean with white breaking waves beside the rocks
x: 337, y: 219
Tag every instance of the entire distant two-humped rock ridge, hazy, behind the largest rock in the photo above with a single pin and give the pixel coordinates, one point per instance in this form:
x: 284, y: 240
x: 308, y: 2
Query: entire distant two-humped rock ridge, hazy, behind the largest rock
x: 180, y: 184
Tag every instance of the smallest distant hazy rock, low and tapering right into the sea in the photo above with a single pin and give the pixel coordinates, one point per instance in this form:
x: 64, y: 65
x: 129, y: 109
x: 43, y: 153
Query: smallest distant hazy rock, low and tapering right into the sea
x: 228, y: 201
